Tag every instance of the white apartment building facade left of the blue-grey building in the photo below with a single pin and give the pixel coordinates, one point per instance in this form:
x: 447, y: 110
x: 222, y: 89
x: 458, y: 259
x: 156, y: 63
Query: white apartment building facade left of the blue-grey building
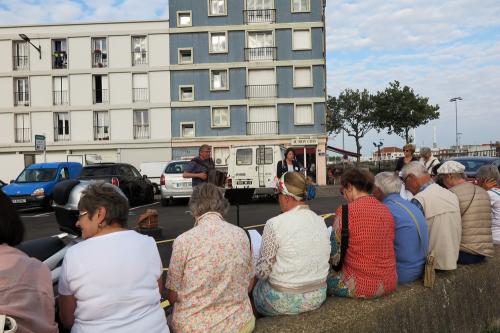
x: 97, y: 92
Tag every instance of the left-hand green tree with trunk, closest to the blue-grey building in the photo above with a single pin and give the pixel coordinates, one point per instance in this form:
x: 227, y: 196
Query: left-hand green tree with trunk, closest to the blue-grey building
x: 352, y: 112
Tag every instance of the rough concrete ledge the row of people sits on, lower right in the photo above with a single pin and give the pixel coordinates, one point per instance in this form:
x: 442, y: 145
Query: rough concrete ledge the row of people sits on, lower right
x: 465, y: 300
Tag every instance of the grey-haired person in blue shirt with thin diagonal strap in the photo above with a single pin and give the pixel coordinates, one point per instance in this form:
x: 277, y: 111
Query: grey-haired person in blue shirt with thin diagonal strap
x: 411, y: 241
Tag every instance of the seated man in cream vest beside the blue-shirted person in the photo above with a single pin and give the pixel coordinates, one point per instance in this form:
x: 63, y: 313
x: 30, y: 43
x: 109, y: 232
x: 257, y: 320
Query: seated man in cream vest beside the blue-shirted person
x: 442, y: 212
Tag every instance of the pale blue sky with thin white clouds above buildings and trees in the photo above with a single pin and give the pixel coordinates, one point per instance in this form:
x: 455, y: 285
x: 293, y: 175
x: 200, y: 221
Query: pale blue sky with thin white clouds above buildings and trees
x: 441, y: 49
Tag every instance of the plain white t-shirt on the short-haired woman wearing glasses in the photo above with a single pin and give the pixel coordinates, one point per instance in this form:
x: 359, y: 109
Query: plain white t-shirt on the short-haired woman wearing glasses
x: 114, y: 278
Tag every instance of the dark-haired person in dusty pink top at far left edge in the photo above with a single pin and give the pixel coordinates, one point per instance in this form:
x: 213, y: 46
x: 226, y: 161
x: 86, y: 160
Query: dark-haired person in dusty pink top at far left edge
x: 25, y: 283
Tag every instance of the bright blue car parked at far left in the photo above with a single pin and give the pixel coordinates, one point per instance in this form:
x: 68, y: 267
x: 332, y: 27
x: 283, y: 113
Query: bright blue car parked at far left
x: 34, y: 186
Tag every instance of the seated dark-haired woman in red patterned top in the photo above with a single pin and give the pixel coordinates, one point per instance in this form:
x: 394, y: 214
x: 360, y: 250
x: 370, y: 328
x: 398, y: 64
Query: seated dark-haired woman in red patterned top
x: 369, y: 265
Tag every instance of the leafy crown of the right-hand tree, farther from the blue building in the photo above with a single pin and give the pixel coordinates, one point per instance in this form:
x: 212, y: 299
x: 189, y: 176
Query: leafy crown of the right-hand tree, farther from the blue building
x: 398, y: 109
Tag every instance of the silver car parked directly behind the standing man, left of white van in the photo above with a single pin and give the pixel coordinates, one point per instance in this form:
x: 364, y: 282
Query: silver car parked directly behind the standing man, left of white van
x: 172, y: 184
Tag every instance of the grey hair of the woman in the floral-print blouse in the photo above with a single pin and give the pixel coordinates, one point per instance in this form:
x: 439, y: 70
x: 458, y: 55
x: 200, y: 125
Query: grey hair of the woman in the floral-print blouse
x: 206, y: 198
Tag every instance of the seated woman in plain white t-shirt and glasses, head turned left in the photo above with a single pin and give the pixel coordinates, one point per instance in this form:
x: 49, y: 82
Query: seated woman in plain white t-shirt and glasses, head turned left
x: 111, y: 281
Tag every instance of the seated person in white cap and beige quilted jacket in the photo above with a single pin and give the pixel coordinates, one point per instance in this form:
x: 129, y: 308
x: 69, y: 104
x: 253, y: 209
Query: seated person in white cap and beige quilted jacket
x: 475, y: 210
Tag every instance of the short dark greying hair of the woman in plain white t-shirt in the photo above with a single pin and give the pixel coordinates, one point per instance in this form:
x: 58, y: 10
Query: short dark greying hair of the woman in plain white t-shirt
x: 108, y: 196
